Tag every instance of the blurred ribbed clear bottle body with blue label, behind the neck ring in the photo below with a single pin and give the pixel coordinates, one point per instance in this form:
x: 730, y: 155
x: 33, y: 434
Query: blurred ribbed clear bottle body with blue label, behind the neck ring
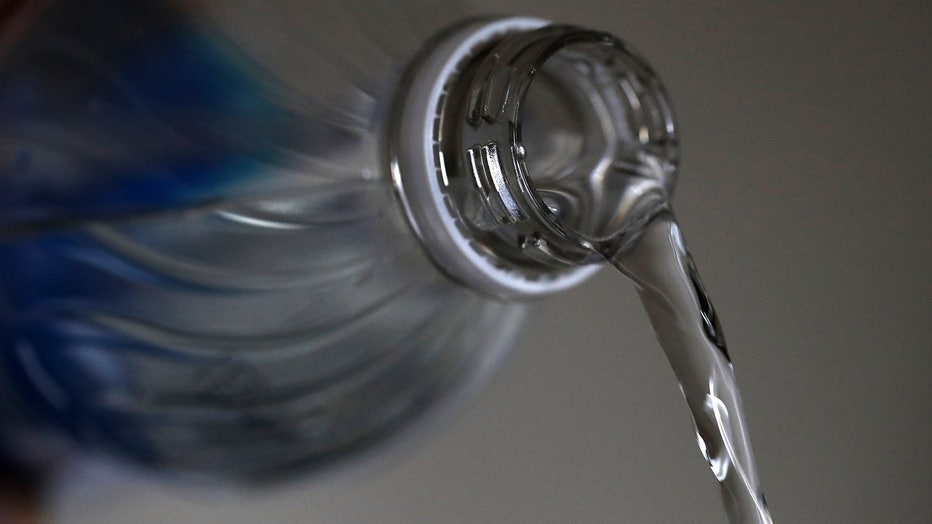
x: 203, y: 265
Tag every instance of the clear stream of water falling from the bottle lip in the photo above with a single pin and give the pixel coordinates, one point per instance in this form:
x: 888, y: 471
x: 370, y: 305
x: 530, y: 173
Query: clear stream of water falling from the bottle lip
x: 689, y: 332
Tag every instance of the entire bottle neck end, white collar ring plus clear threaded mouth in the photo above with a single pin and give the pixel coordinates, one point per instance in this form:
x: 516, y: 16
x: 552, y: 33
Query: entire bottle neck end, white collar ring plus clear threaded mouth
x: 541, y: 145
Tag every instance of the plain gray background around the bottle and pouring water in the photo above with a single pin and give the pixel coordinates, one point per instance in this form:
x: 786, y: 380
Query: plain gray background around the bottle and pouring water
x: 805, y: 197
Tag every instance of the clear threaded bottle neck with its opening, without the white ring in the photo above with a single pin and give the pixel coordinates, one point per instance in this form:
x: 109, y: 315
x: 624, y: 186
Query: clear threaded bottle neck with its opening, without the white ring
x: 565, y: 136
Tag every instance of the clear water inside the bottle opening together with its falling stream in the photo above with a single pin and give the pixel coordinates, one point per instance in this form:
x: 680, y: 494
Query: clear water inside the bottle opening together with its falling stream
x: 609, y: 190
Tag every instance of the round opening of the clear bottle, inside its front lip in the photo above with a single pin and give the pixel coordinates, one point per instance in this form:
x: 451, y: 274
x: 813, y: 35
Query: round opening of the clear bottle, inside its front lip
x: 594, y: 129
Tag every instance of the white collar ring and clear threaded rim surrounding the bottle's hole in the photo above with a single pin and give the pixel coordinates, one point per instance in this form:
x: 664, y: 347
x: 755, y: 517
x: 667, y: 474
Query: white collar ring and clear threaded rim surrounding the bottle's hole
x: 457, y: 129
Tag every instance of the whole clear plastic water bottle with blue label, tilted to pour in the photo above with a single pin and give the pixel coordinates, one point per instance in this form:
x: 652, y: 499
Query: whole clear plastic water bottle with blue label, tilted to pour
x: 243, y: 238
